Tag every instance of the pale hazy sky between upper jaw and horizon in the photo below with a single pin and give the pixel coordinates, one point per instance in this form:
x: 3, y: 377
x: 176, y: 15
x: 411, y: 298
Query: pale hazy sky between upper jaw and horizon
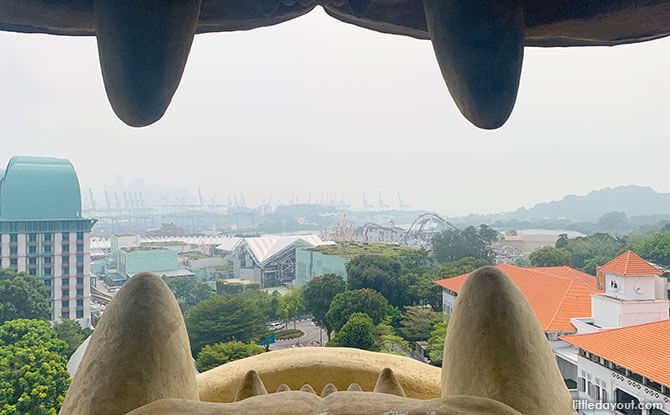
x: 317, y: 106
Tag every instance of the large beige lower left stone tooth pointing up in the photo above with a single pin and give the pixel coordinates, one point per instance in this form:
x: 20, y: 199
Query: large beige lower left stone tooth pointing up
x: 138, y: 353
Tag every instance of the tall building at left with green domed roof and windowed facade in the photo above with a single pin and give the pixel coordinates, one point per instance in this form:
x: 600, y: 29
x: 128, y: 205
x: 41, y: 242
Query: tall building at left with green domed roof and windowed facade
x: 43, y: 233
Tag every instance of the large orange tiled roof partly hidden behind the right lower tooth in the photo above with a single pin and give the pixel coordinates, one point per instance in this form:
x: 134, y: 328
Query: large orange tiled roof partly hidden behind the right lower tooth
x: 555, y: 296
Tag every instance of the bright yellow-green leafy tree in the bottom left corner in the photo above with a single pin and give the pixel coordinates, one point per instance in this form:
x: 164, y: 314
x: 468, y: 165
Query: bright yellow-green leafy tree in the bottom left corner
x: 33, y: 380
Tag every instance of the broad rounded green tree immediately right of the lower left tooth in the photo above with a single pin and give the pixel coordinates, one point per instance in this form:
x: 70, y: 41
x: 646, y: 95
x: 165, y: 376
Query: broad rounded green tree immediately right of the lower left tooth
x: 224, y: 318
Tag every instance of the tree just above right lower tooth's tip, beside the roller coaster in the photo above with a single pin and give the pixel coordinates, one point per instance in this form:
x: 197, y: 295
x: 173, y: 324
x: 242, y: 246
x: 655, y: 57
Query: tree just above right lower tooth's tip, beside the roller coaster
x: 452, y: 245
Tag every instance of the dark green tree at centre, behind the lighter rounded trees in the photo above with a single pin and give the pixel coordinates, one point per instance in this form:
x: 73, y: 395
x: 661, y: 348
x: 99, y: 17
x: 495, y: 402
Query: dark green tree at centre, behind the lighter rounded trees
x: 382, y: 274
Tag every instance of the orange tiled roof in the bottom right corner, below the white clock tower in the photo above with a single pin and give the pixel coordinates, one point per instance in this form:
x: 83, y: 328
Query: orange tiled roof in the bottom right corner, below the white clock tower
x: 644, y: 349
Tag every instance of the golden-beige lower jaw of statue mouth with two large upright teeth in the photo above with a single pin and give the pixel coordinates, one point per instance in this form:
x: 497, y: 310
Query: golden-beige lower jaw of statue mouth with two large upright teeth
x: 497, y: 360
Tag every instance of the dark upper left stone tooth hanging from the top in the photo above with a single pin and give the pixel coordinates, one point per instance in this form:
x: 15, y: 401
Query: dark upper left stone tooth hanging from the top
x: 143, y: 46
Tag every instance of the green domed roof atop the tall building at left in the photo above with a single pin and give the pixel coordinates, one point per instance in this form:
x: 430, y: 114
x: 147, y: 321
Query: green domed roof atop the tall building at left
x: 39, y: 188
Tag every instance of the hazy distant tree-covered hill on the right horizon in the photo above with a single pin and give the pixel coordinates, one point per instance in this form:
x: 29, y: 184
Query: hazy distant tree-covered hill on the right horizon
x: 632, y: 200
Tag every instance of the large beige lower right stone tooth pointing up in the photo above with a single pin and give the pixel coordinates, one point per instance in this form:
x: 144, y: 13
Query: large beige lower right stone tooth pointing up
x: 485, y: 345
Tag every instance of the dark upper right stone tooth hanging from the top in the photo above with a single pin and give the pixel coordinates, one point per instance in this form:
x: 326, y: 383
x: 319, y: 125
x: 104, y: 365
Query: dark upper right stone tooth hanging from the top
x: 479, y: 47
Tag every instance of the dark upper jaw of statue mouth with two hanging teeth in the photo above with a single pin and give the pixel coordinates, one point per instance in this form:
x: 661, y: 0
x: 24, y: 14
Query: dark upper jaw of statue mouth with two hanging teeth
x: 143, y: 45
